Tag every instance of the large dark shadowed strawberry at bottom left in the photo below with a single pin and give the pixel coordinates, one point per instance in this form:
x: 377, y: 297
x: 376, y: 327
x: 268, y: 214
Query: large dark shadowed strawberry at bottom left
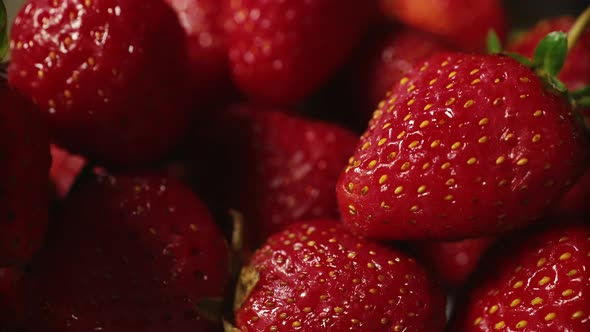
x: 131, y: 253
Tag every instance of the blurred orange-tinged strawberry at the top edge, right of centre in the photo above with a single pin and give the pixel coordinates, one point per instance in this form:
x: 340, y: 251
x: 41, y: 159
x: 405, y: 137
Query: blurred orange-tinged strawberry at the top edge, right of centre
x: 465, y: 23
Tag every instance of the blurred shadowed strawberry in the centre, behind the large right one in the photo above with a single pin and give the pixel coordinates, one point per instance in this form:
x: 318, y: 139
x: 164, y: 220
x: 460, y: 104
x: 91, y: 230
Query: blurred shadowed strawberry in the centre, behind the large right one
x: 285, y: 167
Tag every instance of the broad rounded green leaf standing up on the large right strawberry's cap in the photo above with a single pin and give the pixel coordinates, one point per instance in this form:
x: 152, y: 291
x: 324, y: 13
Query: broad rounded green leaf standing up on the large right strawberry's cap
x: 551, y: 52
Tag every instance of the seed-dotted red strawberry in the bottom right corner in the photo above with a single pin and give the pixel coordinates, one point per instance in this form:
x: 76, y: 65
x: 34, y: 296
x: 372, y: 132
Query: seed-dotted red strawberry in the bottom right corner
x: 539, y: 283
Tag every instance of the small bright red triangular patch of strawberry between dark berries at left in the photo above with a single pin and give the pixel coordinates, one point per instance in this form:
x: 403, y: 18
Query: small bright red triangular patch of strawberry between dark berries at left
x: 65, y: 168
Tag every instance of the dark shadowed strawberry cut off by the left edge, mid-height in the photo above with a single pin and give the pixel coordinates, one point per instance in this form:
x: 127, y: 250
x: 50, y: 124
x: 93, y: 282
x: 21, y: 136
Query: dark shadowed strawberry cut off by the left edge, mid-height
x: 24, y: 168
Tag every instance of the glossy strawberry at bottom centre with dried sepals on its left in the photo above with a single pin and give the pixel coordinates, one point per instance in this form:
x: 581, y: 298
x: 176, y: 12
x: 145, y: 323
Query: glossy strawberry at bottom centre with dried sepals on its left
x: 314, y: 276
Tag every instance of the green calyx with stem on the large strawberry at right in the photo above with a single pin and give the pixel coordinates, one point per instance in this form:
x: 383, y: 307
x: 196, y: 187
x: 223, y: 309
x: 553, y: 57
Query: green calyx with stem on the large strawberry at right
x: 549, y: 57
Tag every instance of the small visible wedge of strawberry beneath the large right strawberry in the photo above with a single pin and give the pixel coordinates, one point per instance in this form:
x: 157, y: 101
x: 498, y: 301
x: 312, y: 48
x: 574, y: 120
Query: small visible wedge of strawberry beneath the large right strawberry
x: 453, y: 262
